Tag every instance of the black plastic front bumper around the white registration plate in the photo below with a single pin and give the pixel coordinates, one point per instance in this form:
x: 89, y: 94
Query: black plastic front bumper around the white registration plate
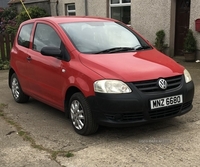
x: 134, y: 108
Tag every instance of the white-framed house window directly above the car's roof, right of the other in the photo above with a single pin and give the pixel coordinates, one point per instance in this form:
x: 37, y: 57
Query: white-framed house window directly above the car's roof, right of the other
x: 121, y: 10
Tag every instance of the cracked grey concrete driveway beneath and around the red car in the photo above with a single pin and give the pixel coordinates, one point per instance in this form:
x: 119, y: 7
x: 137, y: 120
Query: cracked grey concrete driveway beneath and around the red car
x: 34, y: 134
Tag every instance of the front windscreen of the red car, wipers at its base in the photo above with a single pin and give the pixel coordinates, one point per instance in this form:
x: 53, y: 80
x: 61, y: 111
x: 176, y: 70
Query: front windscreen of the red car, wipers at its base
x: 103, y: 37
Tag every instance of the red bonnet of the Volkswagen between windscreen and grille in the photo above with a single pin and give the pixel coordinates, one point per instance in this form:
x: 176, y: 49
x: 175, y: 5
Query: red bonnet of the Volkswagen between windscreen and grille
x: 132, y: 66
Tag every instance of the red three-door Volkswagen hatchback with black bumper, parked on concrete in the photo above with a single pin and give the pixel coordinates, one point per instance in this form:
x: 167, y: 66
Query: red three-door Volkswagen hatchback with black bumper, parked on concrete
x: 98, y: 71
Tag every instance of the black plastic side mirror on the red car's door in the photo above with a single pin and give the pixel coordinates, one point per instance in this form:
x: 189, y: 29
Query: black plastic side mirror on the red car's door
x: 51, y: 51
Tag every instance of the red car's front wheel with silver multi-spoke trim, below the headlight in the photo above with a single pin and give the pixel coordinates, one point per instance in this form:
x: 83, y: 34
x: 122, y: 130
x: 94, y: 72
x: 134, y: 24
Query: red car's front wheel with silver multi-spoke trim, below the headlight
x: 81, y: 116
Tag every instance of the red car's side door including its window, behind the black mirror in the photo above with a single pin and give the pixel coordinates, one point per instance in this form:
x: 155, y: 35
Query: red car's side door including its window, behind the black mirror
x: 47, y: 69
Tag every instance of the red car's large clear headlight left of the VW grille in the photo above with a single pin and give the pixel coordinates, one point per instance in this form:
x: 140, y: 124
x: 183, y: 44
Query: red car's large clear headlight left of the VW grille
x: 111, y: 86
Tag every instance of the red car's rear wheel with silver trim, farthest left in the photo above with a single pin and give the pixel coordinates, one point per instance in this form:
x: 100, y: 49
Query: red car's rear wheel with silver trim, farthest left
x: 18, y: 94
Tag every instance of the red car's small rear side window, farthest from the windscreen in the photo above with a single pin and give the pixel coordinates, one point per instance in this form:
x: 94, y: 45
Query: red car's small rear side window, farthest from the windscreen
x: 25, y: 35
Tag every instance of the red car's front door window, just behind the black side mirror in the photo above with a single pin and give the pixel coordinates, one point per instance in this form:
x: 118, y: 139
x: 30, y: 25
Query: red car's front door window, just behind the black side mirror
x: 45, y: 35
